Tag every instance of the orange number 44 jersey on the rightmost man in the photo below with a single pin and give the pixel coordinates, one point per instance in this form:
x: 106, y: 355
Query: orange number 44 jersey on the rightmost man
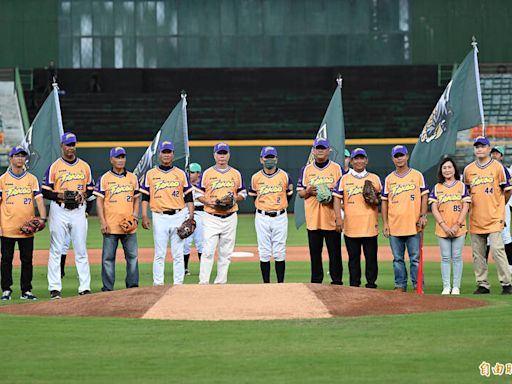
x: 487, y: 184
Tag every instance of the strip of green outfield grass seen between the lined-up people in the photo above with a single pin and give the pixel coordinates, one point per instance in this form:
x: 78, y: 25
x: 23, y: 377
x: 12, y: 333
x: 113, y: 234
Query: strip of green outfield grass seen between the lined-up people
x: 246, y: 235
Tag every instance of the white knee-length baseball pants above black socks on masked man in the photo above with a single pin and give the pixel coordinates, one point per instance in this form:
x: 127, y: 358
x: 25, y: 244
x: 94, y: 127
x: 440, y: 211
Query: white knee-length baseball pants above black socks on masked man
x: 271, y: 233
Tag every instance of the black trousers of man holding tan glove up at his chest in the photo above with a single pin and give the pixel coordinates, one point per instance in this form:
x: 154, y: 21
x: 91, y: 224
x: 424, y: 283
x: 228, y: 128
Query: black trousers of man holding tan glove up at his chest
x: 316, y: 243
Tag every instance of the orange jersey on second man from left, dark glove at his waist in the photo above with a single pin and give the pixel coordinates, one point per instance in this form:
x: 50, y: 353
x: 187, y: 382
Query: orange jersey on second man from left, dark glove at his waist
x: 63, y: 175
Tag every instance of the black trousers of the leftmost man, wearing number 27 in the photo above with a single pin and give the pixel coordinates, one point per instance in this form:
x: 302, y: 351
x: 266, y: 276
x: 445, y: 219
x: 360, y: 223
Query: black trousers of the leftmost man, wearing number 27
x: 26, y: 246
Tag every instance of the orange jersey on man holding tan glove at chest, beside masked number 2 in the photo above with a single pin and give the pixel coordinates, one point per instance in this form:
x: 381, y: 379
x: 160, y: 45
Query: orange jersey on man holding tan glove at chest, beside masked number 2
x: 319, y: 216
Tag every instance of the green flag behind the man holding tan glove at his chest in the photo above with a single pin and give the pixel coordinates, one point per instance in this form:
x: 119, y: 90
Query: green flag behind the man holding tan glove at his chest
x: 333, y: 129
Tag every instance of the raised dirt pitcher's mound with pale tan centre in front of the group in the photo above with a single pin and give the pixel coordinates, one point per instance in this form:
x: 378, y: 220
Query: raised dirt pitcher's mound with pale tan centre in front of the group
x: 243, y: 302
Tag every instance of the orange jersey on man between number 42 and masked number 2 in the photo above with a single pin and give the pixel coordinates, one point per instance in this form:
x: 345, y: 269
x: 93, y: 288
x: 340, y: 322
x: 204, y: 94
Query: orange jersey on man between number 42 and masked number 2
x: 216, y: 183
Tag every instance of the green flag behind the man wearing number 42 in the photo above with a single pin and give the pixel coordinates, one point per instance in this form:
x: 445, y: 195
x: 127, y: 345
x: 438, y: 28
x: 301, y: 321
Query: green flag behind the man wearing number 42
x: 174, y: 129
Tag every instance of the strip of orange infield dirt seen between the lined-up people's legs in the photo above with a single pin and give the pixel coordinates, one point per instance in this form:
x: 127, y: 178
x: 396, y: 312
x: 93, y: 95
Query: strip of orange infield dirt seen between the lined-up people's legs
x: 430, y: 253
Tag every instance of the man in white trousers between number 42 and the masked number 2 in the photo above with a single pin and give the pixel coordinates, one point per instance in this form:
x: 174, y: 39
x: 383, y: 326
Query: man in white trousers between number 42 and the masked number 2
x: 219, y: 226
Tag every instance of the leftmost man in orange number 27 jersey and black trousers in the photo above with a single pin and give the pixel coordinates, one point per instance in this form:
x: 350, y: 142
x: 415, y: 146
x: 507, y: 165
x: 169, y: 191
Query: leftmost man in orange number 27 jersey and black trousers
x: 18, y: 191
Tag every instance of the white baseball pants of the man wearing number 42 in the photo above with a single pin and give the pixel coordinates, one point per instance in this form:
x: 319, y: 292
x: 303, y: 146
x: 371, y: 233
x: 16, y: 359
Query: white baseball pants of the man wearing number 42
x: 165, y: 229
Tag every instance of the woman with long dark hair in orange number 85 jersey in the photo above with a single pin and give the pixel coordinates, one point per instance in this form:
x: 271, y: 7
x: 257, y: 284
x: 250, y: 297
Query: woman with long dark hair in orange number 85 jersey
x: 450, y: 204
